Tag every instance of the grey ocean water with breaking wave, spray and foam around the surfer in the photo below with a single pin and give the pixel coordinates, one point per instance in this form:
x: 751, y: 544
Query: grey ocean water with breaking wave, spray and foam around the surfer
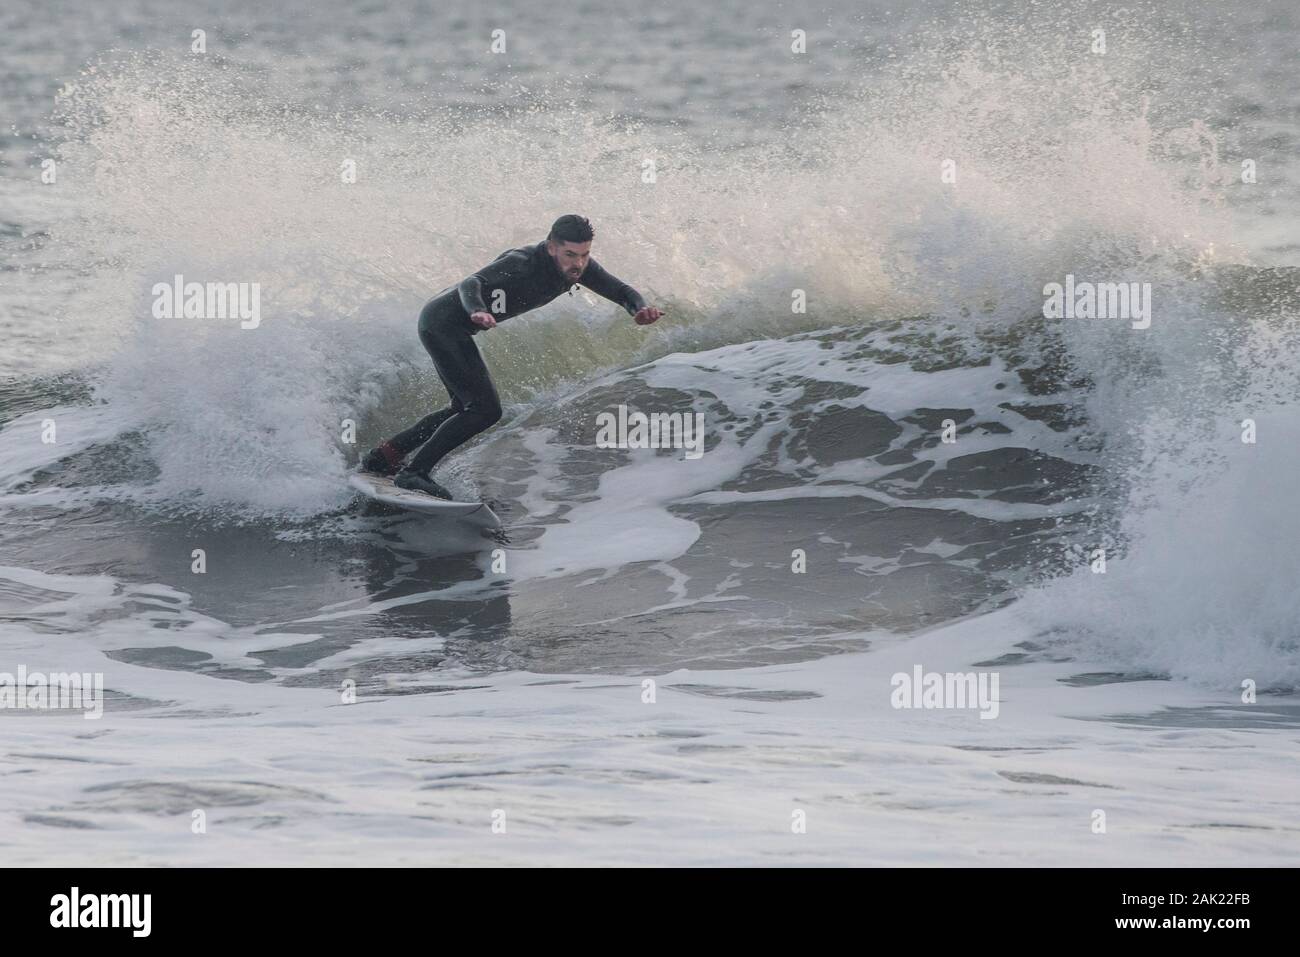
x: 658, y: 659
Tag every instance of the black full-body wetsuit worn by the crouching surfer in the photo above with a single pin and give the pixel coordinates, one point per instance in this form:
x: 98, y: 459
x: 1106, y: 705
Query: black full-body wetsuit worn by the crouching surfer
x: 517, y: 282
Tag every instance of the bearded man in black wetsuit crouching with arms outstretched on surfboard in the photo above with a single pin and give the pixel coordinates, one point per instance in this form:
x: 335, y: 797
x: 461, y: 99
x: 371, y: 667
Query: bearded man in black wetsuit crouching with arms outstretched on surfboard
x: 517, y: 282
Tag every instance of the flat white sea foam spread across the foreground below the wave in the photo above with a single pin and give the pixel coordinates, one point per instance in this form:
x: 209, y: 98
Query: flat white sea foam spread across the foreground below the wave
x: 710, y: 774
